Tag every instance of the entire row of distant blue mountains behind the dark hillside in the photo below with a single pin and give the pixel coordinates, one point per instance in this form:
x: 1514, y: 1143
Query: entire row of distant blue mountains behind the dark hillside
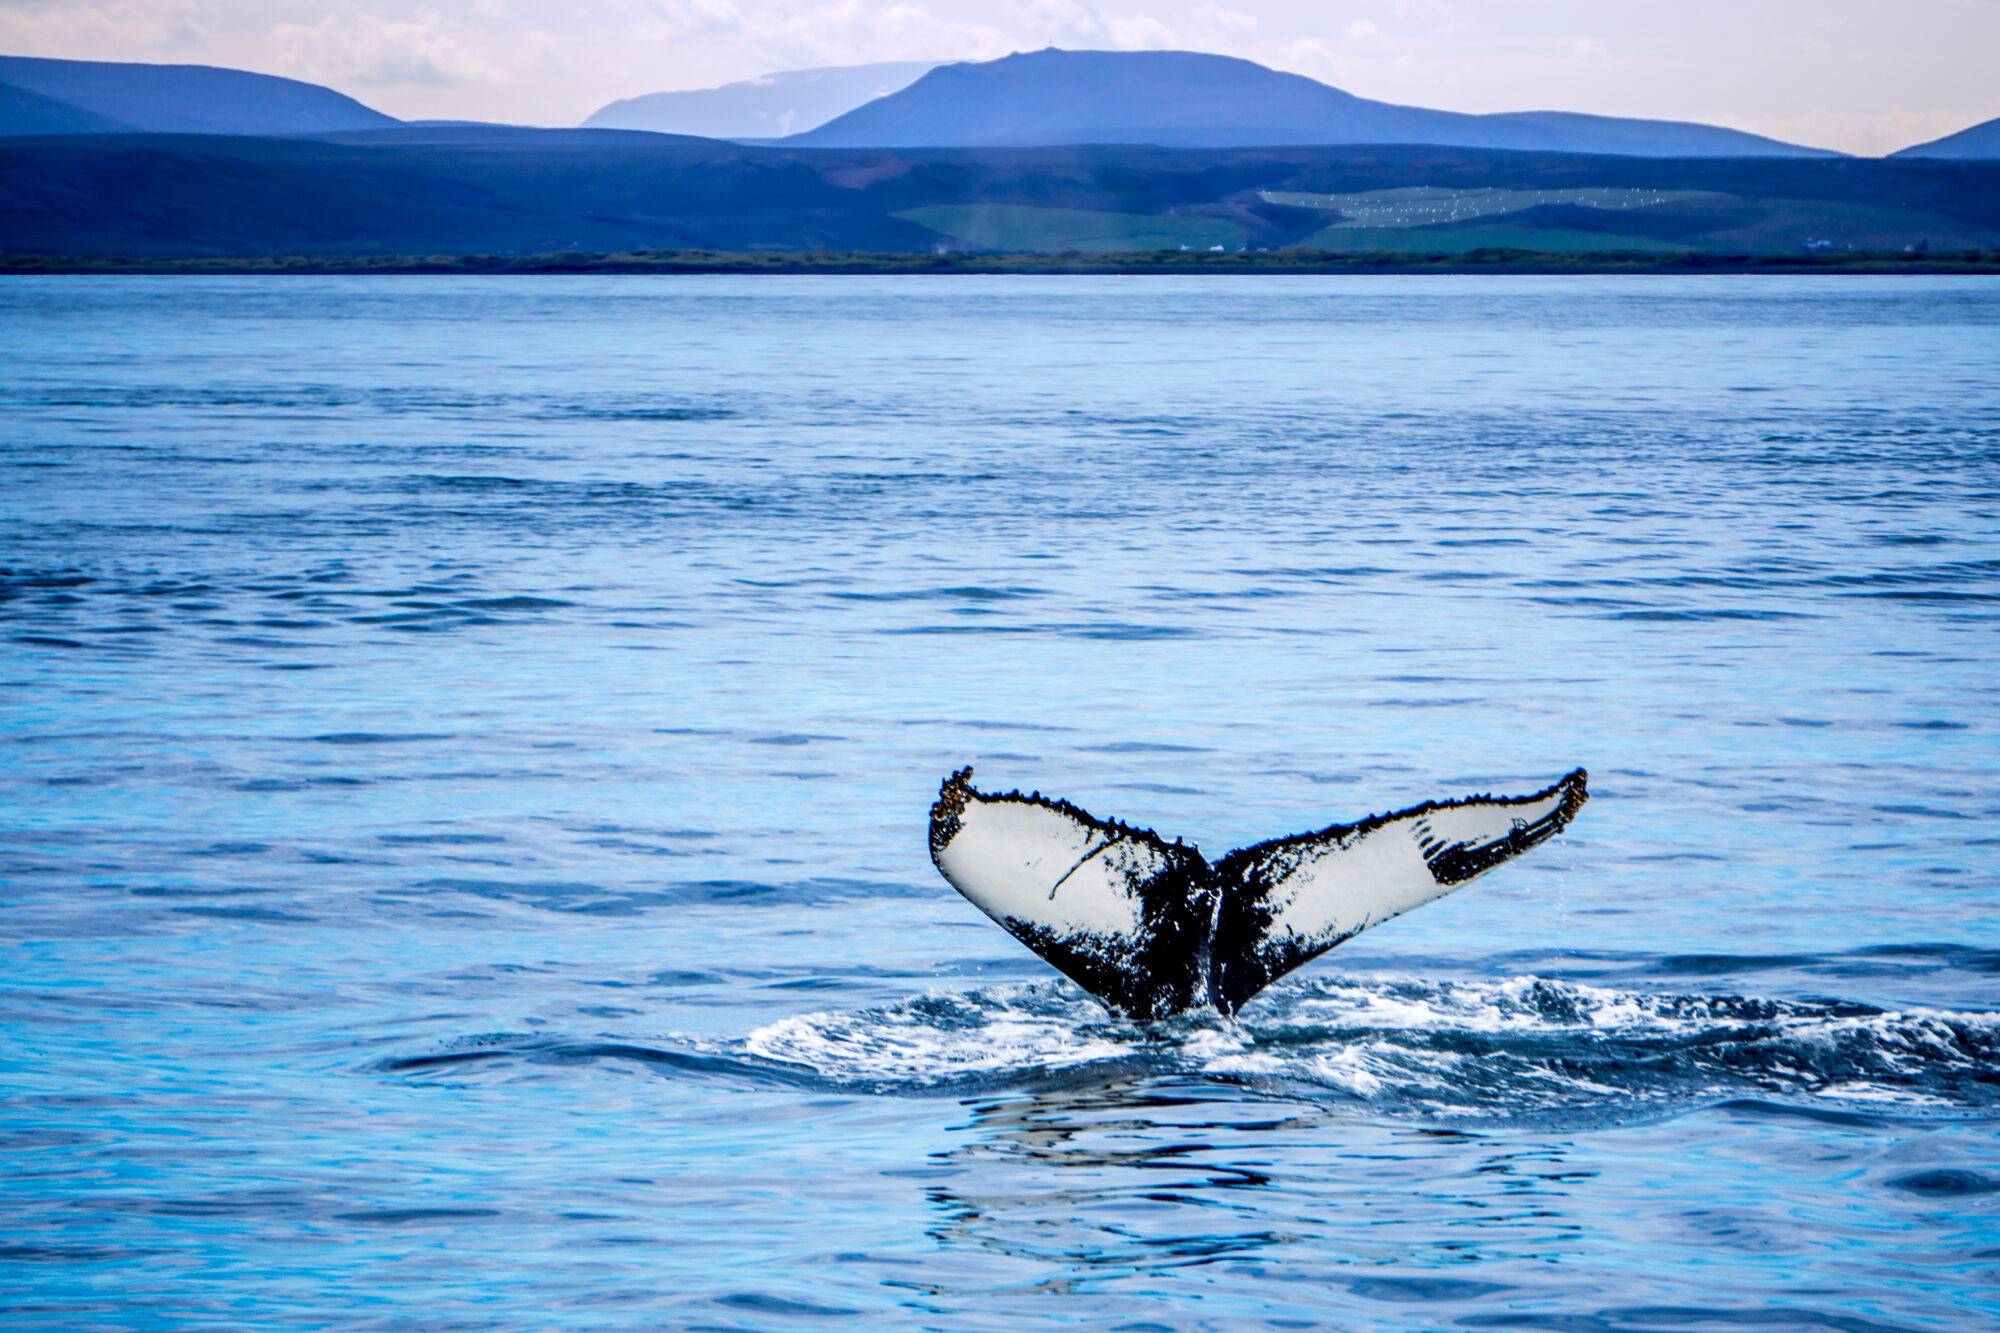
x: 1035, y: 99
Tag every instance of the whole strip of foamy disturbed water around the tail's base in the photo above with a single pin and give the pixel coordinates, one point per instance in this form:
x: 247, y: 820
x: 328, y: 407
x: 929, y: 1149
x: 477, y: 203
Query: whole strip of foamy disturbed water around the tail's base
x: 1525, y: 1048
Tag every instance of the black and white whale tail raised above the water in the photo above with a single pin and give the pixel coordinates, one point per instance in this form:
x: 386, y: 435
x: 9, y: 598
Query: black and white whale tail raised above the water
x: 1153, y: 930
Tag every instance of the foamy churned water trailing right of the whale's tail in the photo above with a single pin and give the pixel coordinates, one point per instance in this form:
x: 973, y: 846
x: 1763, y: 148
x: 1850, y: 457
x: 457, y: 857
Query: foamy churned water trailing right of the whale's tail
x: 1535, y: 1046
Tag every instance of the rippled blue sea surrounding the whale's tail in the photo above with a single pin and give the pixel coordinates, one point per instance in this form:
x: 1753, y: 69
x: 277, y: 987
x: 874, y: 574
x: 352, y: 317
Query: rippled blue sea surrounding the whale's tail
x: 469, y: 748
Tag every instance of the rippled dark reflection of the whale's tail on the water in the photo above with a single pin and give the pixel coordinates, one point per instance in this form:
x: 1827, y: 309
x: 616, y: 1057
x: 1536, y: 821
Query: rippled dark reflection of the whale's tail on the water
x: 1127, y: 1176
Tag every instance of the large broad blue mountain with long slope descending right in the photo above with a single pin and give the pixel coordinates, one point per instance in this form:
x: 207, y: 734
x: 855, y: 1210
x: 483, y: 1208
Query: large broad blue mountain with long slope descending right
x: 1197, y: 101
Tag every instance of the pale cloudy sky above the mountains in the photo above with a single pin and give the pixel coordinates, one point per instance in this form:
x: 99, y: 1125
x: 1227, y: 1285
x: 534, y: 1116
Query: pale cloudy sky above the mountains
x: 1857, y: 75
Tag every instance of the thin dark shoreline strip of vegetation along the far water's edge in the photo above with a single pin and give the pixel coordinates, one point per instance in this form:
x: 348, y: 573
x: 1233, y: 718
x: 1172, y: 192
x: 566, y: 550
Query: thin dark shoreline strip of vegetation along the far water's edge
x: 1301, y: 261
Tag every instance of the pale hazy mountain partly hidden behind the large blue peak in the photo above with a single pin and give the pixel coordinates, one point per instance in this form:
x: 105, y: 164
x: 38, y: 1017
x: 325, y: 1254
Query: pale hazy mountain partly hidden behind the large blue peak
x: 769, y: 107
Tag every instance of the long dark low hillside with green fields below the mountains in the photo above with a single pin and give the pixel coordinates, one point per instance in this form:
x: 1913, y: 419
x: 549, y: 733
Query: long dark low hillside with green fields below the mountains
x: 537, y: 193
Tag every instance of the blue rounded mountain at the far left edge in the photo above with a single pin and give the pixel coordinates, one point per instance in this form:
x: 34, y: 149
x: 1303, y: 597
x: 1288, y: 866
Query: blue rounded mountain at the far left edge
x: 181, y: 99
